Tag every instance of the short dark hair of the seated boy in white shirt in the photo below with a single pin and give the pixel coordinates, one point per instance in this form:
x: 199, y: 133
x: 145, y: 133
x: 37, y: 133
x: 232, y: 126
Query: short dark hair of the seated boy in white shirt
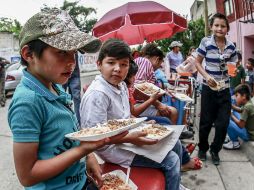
x: 114, y: 48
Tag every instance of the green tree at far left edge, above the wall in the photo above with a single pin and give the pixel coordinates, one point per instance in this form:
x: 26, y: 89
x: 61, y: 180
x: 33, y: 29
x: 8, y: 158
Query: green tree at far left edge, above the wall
x: 9, y: 25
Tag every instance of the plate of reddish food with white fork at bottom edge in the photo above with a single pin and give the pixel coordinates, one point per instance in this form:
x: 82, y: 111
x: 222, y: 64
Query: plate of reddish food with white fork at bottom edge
x: 115, y: 180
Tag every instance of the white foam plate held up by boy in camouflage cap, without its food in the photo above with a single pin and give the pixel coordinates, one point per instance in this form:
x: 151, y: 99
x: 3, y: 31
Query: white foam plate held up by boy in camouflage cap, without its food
x: 97, y: 137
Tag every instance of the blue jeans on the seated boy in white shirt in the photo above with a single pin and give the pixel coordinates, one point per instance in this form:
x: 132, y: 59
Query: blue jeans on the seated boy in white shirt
x: 170, y: 166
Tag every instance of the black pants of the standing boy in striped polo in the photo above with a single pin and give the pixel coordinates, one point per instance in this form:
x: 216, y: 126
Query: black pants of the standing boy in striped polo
x: 215, y: 110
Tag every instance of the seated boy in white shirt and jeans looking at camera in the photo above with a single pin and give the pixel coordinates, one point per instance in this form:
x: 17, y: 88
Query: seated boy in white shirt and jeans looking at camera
x: 107, y: 98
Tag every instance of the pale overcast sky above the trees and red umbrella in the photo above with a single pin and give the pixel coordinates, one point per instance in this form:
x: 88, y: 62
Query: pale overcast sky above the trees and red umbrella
x: 22, y: 10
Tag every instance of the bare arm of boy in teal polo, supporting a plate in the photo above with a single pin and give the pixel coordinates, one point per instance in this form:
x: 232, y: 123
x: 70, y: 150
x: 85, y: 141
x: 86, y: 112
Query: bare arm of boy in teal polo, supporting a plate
x: 31, y: 170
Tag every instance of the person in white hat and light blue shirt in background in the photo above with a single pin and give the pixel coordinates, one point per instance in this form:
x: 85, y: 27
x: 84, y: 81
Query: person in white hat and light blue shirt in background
x: 174, y: 57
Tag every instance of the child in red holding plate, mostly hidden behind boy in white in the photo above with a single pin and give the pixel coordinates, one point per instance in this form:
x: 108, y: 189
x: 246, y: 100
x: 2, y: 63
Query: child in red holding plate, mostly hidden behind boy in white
x: 187, y: 162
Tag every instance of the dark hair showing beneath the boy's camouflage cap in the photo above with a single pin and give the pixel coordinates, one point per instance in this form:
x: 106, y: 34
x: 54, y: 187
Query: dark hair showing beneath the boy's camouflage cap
x: 37, y: 47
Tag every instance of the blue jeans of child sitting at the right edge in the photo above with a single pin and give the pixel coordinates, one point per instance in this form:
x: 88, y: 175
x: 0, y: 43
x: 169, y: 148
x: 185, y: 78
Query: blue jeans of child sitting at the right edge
x: 234, y: 131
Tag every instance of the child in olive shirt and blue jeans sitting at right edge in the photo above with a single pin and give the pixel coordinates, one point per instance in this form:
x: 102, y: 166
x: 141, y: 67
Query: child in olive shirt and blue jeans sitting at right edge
x: 241, y: 125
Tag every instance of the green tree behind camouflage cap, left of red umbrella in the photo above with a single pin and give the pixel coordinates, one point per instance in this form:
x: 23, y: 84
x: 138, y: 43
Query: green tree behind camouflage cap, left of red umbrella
x: 80, y: 15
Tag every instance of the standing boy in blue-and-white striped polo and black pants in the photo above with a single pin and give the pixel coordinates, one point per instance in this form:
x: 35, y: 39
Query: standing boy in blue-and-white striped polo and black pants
x: 216, y: 50
